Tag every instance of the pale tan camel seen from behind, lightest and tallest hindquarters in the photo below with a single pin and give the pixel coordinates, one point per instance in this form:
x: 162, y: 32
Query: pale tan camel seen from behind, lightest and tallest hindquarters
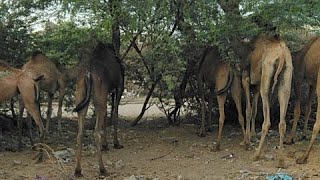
x: 270, y: 61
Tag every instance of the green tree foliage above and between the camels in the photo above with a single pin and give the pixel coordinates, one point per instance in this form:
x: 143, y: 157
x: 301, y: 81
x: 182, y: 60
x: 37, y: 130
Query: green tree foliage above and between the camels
x: 169, y: 34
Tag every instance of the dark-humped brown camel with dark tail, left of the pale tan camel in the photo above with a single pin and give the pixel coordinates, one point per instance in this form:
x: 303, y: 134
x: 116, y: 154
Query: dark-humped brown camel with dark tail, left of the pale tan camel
x: 219, y: 76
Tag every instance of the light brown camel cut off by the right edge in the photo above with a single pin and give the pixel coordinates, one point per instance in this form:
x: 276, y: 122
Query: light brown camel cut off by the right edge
x: 312, y: 75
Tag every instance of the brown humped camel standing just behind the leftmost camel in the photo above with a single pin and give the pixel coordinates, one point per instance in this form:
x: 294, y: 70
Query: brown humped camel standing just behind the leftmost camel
x: 53, y: 80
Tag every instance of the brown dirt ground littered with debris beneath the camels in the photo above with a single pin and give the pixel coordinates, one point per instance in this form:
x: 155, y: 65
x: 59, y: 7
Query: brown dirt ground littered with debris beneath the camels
x: 154, y: 150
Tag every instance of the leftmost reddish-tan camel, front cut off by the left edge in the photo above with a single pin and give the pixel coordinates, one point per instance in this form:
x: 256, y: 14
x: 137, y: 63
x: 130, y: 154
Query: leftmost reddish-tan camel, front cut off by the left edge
x: 13, y: 82
